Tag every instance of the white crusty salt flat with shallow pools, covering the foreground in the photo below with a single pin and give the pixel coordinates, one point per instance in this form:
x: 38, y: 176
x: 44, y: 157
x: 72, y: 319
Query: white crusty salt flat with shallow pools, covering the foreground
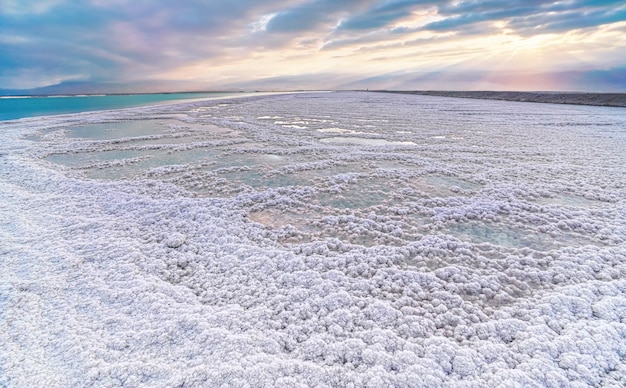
x: 323, y: 239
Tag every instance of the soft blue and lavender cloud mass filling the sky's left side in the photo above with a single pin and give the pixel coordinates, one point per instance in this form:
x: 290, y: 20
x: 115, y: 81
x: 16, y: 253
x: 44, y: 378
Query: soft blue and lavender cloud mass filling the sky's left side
x: 116, y: 39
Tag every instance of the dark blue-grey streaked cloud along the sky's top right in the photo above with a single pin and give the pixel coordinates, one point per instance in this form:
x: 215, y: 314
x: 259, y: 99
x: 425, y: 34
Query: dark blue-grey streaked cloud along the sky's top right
x: 379, y: 23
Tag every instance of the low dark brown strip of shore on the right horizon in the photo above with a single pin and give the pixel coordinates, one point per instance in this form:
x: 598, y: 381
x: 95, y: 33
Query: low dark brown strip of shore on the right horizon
x: 594, y: 99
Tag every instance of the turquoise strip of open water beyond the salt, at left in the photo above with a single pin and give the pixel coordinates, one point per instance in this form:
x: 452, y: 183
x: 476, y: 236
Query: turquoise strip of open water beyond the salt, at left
x: 18, y: 107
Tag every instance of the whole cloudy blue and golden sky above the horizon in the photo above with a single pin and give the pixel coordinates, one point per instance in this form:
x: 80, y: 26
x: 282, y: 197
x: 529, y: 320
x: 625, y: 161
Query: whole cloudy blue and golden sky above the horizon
x: 158, y: 45
